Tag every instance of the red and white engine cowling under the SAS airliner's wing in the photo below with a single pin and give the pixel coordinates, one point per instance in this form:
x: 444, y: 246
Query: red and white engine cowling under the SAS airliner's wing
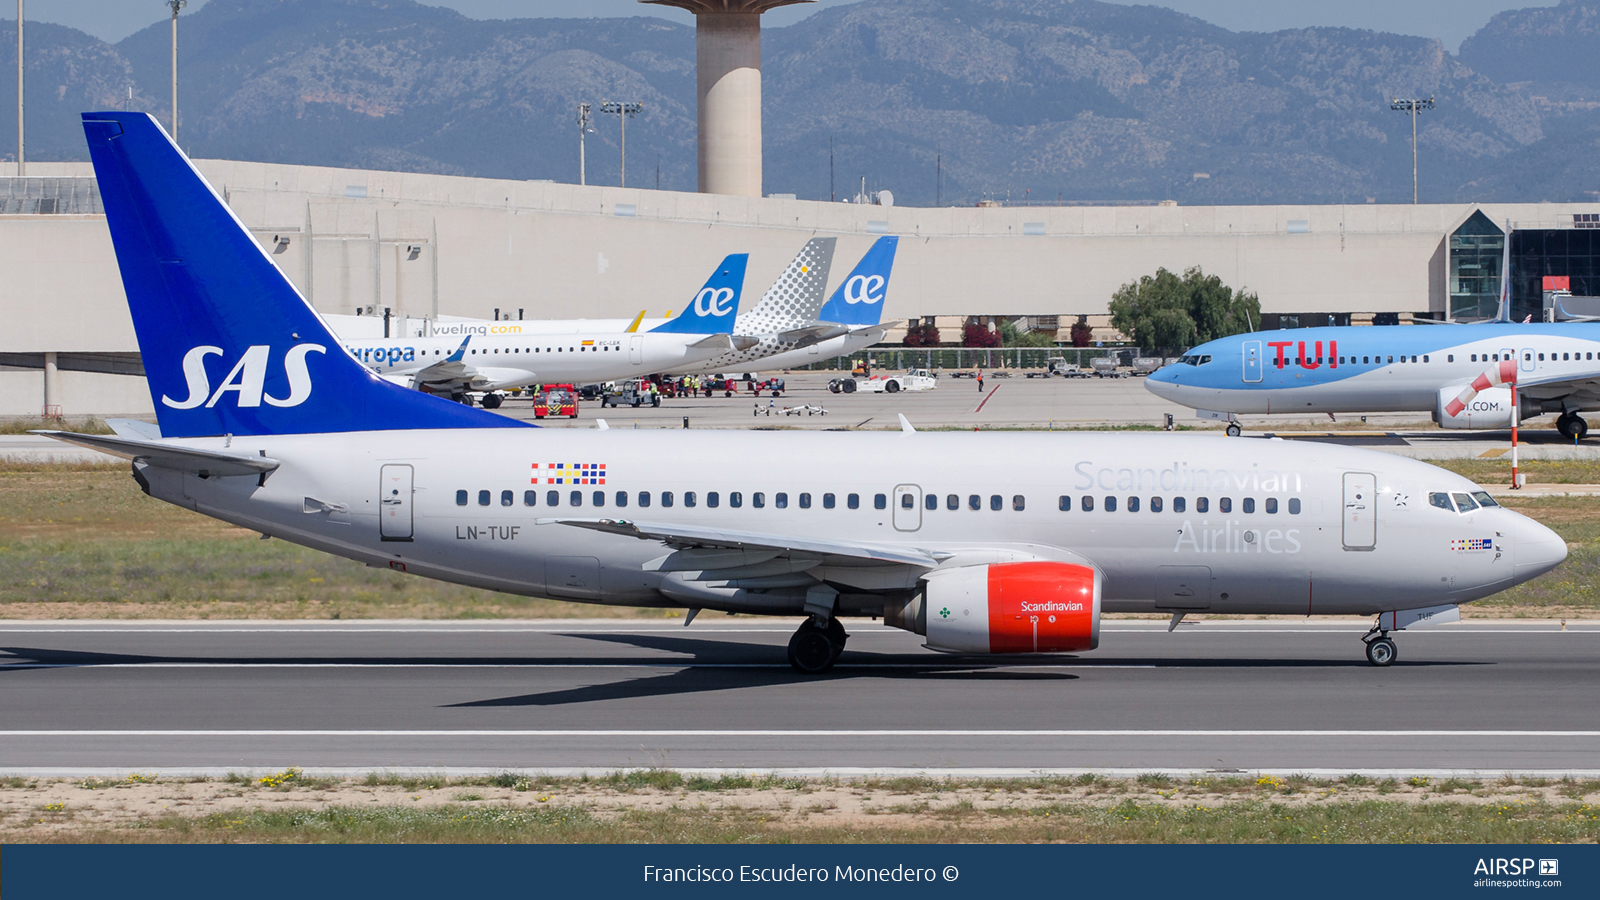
x: 1014, y: 608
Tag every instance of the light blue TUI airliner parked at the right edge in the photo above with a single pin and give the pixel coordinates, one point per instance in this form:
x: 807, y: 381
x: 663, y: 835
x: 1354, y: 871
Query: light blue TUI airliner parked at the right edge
x: 1422, y: 369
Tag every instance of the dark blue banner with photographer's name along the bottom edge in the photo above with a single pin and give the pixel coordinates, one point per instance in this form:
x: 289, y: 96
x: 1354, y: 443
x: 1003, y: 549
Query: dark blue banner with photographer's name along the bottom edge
x: 670, y: 870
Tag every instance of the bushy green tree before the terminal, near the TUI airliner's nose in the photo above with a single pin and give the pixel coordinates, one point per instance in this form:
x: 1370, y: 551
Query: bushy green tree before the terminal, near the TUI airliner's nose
x: 1164, y: 311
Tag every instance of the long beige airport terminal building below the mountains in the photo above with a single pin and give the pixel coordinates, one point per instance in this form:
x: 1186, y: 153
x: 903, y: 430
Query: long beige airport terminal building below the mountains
x: 422, y: 246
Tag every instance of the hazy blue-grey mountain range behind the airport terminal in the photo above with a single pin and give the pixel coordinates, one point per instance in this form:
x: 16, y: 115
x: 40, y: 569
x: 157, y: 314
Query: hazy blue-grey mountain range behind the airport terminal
x: 942, y: 102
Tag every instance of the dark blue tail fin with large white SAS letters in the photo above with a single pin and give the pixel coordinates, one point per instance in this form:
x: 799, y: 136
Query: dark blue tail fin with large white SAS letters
x: 230, y: 347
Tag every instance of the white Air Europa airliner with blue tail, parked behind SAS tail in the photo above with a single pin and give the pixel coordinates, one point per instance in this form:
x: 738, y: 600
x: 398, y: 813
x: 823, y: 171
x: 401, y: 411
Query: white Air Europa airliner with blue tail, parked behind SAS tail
x: 506, y: 358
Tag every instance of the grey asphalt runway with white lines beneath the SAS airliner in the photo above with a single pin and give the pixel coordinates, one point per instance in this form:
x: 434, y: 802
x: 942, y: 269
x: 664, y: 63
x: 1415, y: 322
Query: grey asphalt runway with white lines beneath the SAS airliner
x: 562, y: 696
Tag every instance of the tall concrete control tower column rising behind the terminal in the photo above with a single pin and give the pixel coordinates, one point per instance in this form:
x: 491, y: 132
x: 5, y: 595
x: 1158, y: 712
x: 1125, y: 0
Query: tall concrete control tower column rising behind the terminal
x: 729, y: 79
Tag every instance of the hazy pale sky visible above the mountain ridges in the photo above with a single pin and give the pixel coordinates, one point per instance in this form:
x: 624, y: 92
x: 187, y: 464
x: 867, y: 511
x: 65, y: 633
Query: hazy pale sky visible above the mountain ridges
x: 1447, y: 20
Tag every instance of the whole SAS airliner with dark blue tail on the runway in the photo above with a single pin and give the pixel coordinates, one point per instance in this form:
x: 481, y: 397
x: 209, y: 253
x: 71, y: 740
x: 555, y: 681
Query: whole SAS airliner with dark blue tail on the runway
x: 983, y: 544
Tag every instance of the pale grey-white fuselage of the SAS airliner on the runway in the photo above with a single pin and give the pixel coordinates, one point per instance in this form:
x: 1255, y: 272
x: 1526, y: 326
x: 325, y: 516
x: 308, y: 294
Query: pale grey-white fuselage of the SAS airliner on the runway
x: 506, y: 536
